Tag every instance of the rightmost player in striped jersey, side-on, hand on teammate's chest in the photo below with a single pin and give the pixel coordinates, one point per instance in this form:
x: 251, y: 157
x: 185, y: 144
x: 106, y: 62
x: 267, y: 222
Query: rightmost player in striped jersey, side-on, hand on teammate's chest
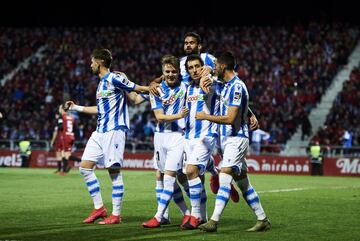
x: 234, y: 143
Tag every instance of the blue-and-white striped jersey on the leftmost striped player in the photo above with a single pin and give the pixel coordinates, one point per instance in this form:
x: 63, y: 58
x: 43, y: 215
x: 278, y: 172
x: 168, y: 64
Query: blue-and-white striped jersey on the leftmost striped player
x: 111, y: 102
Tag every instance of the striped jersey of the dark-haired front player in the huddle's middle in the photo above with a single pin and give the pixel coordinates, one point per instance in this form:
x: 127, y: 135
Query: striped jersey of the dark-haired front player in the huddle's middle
x: 196, y: 101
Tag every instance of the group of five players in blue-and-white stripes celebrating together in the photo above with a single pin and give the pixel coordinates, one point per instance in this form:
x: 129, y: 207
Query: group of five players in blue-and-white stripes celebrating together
x: 200, y: 105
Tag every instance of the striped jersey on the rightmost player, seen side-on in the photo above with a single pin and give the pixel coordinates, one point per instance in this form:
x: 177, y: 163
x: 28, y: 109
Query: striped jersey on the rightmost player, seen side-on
x: 234, y: 93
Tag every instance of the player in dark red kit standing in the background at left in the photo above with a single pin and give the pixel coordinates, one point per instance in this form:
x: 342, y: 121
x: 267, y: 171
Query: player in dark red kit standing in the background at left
x: 63, y: 140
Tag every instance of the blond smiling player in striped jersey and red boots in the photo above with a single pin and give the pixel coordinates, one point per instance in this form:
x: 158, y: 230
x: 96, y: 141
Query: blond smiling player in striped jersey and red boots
x: 169, y: 111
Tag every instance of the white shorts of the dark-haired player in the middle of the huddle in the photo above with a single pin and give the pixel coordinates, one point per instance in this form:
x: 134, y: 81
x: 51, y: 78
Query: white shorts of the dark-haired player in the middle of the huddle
x: 198, y: 152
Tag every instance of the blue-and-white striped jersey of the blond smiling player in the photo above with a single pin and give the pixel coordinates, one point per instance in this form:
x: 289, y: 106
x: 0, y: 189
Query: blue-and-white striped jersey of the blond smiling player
x: 171, y: 100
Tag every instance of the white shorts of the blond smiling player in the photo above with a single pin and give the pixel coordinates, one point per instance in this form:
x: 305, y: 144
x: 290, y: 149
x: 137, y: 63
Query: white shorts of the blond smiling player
x: 168, y: 151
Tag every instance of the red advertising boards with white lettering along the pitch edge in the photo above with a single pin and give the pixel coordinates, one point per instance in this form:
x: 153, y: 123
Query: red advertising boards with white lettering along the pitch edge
x: 256, y: 164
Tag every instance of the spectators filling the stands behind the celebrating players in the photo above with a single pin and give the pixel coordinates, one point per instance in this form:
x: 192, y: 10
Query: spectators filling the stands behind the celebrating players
x: 286, y: 69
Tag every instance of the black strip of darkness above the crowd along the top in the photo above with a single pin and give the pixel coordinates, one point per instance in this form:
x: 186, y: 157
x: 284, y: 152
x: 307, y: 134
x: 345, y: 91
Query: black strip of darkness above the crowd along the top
x: 185, y: 12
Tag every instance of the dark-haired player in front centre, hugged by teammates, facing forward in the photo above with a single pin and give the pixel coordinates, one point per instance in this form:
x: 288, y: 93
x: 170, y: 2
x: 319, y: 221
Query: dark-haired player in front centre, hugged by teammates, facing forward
x: 200, y: 138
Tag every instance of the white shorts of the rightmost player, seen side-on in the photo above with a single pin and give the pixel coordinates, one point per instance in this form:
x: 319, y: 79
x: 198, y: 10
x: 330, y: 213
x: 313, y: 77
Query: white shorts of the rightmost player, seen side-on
x: 234, y: 151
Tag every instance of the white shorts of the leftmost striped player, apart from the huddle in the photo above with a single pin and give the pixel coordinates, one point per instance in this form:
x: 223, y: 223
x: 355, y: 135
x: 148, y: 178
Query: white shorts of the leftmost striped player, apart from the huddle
x: 105, y: 148
